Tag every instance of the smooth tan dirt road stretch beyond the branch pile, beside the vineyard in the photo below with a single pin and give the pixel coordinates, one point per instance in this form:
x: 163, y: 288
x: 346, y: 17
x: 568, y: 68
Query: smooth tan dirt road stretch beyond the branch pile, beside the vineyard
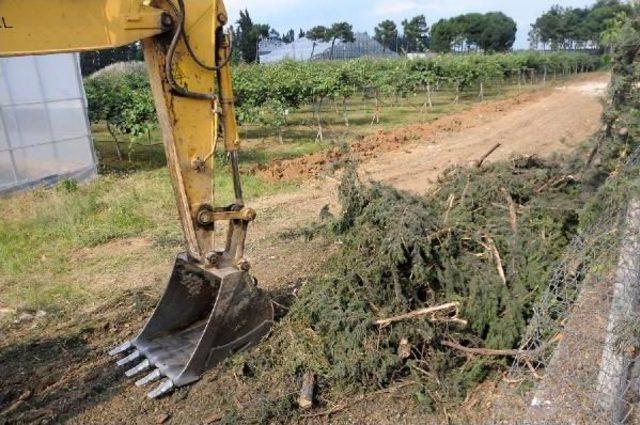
x: 554, y: 123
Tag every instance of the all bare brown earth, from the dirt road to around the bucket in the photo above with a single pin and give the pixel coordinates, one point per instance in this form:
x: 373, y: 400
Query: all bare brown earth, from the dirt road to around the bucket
x: 82, y: 382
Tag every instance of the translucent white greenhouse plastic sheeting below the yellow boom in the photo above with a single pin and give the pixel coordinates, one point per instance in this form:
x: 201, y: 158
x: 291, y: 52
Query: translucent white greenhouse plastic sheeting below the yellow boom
x: 44, y: 129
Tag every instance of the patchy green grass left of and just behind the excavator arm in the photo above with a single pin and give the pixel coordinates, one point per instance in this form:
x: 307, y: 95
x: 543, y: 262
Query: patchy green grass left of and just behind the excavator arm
x: 42, y: 231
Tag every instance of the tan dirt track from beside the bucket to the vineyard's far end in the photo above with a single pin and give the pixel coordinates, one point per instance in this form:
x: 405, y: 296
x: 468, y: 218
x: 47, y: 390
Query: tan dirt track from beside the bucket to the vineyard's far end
x: 554, y: 120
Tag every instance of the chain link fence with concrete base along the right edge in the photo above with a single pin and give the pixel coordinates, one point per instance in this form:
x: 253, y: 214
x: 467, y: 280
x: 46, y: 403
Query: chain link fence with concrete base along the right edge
x: 581, y: 351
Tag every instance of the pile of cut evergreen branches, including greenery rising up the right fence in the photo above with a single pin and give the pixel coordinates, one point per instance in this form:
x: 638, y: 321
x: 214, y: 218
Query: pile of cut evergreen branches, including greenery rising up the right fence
x: 438, y: 290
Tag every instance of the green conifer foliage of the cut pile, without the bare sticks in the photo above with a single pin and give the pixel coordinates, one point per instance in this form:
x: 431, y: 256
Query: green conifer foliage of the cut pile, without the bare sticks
x: 399, y: 253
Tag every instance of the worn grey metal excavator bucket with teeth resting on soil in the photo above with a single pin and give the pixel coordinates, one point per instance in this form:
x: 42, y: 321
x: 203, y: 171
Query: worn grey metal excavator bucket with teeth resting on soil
x: 203, y: 317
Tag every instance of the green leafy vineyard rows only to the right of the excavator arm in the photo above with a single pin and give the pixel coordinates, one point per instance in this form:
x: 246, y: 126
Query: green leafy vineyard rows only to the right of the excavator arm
x: 293, y: 84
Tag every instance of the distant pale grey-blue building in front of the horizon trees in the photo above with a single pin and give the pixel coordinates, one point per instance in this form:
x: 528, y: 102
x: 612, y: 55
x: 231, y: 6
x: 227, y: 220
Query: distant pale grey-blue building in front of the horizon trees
x: 303, y: 49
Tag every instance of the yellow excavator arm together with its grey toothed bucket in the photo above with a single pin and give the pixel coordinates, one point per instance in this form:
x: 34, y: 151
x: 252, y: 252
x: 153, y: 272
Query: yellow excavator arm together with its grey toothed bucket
x: 211, y: 307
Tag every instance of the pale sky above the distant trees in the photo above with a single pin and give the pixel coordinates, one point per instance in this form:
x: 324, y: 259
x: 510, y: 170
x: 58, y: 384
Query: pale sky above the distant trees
x: 365, y: 14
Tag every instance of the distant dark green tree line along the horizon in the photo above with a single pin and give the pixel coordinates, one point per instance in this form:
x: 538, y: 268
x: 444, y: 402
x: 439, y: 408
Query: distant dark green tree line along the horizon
x: 558, y: 28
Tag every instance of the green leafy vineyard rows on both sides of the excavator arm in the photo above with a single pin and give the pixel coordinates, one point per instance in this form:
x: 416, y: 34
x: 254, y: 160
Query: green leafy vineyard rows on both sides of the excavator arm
x: 265, y: 94
